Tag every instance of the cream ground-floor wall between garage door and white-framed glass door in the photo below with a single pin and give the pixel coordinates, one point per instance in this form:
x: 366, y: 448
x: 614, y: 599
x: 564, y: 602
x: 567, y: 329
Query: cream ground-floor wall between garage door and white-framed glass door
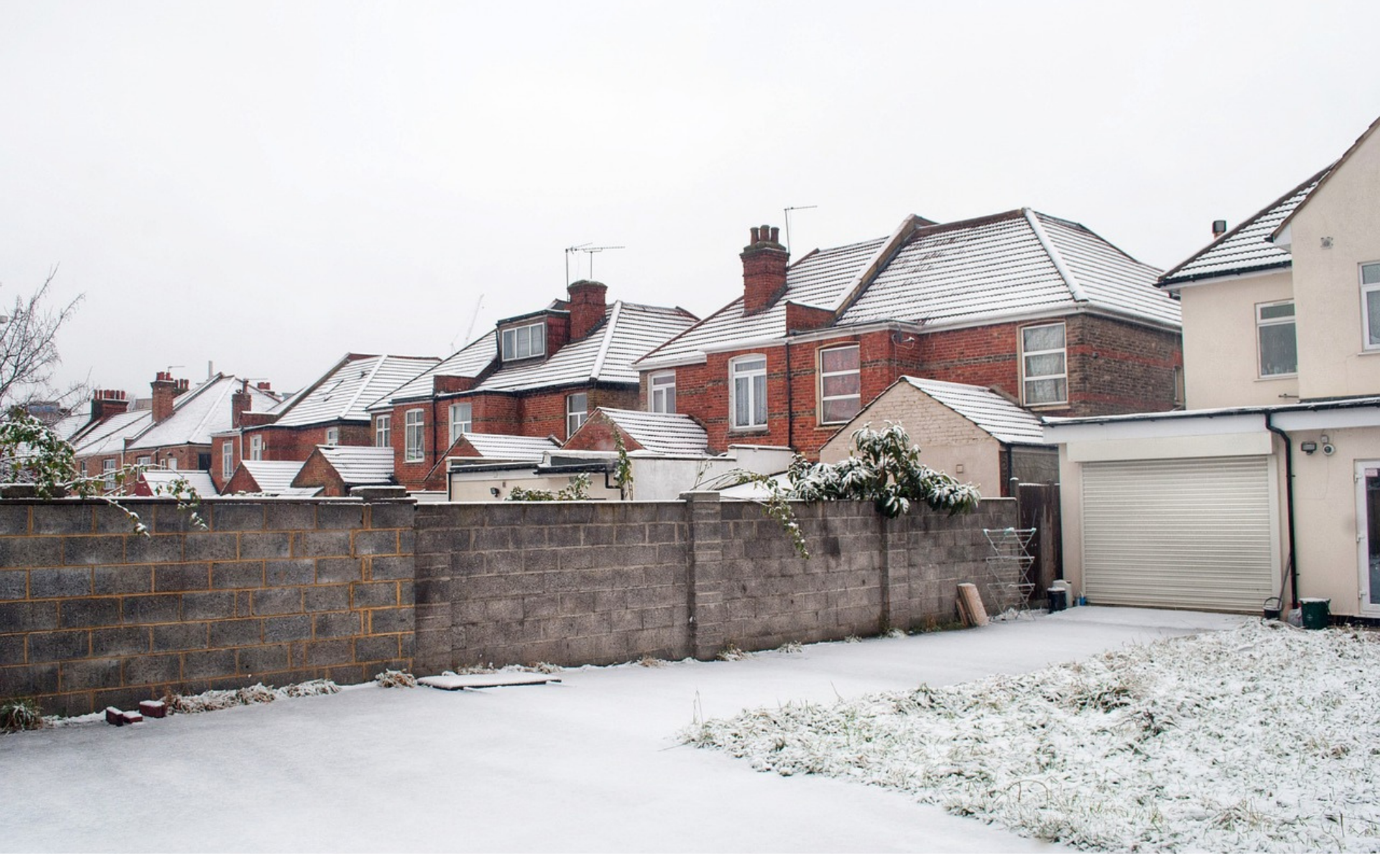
x: 1327, y: 518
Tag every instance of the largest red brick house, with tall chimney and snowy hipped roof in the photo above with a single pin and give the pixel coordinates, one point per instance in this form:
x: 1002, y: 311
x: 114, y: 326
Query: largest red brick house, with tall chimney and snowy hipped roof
x: 1025, y: 303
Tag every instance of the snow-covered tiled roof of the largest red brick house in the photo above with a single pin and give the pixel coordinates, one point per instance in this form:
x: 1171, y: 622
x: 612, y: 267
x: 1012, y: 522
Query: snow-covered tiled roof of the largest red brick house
x: 1011, y: 264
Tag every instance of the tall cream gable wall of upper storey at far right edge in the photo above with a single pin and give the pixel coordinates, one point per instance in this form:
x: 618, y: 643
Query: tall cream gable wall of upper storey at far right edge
x: 1346, y: 208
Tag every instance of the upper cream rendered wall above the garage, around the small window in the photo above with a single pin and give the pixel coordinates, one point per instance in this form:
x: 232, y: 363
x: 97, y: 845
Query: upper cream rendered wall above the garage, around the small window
x: 1222, y: 367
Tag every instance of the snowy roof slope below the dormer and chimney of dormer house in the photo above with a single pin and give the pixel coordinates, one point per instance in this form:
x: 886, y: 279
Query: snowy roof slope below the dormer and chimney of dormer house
x: 607, y: 356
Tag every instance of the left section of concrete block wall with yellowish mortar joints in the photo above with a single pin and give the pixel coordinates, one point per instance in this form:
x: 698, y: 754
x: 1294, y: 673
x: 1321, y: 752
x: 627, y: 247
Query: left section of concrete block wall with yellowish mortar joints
x: 275, y: 593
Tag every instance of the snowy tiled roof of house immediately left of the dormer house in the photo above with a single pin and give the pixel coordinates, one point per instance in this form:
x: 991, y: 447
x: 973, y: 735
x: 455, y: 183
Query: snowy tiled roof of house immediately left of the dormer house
x: 346, y: 393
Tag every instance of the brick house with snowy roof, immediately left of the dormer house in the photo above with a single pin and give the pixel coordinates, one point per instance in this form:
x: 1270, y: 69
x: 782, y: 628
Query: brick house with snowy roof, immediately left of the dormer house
x: 329, y: 412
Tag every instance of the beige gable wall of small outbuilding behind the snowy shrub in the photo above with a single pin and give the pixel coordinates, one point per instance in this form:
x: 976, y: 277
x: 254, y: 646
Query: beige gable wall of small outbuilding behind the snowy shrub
x: 947, y: 441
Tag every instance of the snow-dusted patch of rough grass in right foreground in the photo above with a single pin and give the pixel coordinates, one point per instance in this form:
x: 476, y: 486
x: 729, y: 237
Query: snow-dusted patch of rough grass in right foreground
x: 1258, y: 739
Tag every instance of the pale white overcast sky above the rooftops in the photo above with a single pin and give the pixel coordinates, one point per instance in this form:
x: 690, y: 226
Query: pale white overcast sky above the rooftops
x: 268, y: 186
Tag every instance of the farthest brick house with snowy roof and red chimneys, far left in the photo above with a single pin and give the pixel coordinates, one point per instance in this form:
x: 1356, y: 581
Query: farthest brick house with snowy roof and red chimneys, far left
x: 175, y: 433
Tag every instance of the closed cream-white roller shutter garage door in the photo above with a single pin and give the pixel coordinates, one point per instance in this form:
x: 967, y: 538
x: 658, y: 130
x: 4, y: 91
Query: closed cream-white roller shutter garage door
x: 1192, y: 534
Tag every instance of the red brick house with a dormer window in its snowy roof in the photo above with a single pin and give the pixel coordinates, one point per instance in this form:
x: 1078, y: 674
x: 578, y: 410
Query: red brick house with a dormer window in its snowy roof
x: 535, y: 376
